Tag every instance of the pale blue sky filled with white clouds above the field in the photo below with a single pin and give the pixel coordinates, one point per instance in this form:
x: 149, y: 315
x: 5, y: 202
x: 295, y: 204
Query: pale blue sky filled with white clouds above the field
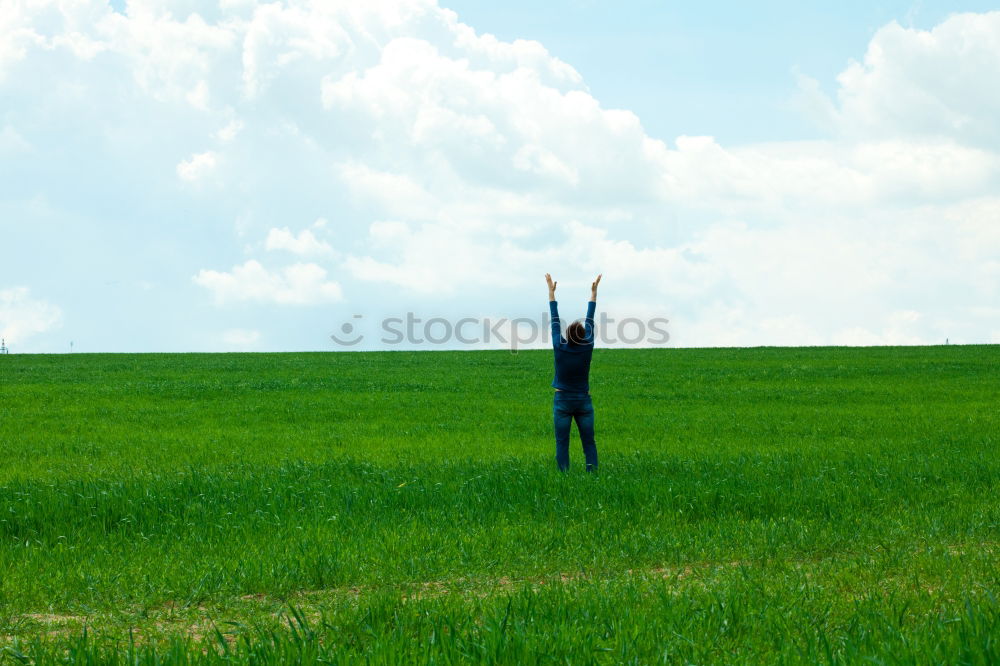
x: 184, y: 176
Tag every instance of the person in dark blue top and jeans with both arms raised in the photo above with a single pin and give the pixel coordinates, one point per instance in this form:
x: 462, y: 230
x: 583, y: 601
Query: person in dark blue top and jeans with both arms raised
x: 572, y: 379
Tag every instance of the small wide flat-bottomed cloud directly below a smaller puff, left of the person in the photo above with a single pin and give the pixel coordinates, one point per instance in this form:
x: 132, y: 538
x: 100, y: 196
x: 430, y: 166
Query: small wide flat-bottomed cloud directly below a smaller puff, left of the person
x: 298, y: 284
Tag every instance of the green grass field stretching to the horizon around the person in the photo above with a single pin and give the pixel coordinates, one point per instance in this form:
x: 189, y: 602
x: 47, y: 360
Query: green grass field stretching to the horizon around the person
x: 827, y: 505
